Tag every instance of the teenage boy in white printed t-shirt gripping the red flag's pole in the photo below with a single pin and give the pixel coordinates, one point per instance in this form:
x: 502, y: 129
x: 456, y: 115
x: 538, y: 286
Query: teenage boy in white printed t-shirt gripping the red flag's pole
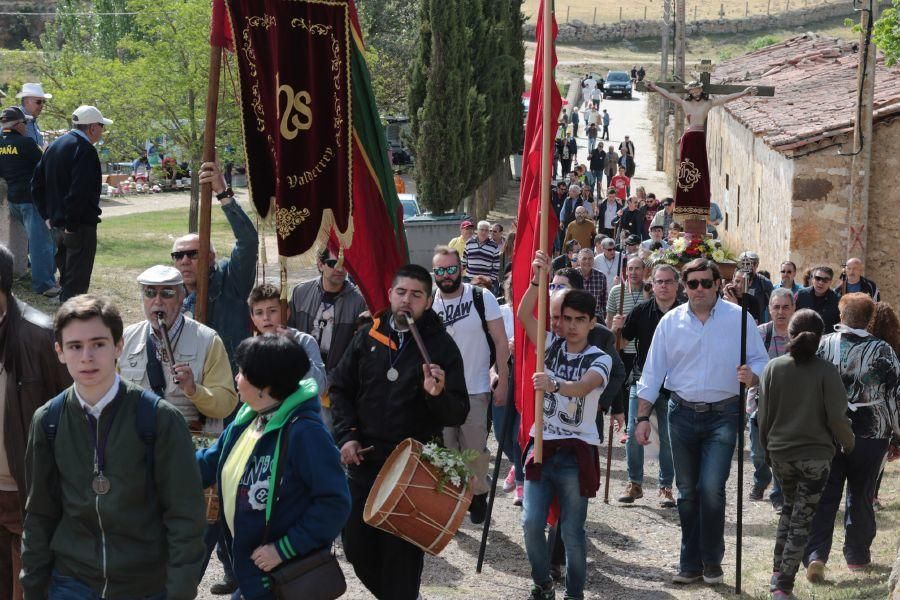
x: 575, y: 375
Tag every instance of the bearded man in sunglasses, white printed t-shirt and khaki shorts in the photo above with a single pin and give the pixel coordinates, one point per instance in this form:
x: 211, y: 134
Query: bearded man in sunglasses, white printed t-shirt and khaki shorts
x: 472, y: 317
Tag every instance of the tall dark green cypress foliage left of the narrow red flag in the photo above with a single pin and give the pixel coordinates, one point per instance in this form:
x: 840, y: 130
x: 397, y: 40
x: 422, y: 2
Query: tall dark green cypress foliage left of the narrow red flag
x: 464, y: 98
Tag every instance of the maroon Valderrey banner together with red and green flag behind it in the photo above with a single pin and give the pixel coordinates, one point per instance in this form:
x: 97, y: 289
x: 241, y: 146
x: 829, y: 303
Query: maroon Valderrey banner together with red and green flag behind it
x: 316, y: 151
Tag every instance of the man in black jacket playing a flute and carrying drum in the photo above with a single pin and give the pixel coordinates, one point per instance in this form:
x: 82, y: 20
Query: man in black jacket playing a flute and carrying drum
x: 381, y: 394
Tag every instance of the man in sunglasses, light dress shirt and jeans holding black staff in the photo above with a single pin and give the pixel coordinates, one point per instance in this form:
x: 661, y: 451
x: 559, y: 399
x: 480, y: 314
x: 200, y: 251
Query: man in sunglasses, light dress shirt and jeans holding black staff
x: 695, y: 353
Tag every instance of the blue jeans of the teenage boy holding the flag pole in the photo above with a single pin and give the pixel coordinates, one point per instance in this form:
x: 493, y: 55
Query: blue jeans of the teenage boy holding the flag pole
x: 559, y: 478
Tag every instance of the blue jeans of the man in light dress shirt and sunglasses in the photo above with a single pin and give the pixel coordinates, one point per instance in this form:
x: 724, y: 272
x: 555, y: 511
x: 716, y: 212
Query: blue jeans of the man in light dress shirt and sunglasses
x: 702, y: 448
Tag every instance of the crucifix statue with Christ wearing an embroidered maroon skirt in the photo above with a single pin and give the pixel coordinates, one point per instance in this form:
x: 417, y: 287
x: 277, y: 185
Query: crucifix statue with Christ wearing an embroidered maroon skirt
x: 692, y: 180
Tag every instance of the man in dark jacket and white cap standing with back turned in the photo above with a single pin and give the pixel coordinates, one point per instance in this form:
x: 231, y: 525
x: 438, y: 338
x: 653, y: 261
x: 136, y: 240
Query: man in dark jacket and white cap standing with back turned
x: 66, y: 190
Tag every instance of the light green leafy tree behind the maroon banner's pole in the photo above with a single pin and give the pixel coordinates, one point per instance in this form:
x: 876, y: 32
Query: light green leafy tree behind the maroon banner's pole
x: 149, y: 74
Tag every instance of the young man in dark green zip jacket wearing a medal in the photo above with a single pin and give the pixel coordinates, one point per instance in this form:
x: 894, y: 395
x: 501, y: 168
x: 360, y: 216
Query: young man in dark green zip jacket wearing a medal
x: 113, y: 511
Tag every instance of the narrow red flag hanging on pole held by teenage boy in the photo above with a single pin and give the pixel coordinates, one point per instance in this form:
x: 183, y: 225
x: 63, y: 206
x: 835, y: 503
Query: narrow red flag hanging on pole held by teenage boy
x: 528, y: 229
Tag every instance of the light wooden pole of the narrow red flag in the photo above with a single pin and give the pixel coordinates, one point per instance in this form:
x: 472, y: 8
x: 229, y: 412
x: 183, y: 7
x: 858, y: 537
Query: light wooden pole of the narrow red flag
x: 544, y: 191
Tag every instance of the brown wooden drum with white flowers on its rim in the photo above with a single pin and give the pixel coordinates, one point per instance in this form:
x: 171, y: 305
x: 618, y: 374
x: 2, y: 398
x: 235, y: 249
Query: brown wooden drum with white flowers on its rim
x: 404, y: 500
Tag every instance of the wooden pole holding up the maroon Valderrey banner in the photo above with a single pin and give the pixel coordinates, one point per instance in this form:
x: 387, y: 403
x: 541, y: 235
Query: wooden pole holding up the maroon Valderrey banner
x: 209, y: 155
